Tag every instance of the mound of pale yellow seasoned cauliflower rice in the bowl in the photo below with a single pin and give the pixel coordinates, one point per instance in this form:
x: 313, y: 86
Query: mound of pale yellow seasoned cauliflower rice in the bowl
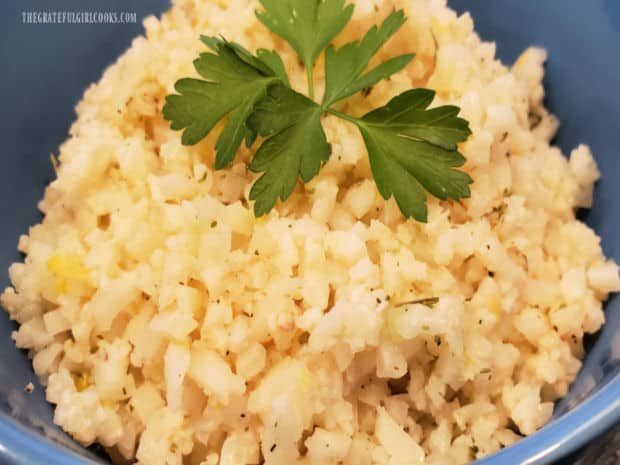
x: 173, y: 327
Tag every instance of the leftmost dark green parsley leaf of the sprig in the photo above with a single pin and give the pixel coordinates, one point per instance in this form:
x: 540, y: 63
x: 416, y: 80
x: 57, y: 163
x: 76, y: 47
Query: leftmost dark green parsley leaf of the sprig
x: 235, y: 81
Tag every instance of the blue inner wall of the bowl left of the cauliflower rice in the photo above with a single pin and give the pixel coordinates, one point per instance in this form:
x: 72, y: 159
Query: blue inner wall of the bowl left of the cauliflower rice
x: 51, y: 65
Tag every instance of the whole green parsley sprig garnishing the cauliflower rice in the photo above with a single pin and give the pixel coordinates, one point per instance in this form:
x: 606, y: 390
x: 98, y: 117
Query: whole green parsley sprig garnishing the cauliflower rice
x: 412, y: 148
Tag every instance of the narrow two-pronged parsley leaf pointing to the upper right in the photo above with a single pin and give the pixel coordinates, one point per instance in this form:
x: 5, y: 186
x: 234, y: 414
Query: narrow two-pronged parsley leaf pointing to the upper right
x: 344, y: 66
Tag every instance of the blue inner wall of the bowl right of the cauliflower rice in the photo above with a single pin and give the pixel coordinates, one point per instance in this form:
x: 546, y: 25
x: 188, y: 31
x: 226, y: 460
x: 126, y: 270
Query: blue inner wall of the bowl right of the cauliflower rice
x: 580, y: 38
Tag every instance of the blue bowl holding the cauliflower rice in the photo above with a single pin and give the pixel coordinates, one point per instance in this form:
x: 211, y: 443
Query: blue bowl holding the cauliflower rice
x: 47, y: 67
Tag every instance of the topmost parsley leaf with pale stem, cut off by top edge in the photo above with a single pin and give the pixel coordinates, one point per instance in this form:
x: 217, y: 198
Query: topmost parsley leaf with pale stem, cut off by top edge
x: 307, y: 25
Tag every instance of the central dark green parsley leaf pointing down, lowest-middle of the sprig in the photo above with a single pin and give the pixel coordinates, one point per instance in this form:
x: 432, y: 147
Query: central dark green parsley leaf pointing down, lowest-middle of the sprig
x: 295, y: 146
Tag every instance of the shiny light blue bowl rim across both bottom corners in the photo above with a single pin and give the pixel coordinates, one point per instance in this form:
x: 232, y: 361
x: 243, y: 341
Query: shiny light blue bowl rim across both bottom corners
x: 597, y: 413
